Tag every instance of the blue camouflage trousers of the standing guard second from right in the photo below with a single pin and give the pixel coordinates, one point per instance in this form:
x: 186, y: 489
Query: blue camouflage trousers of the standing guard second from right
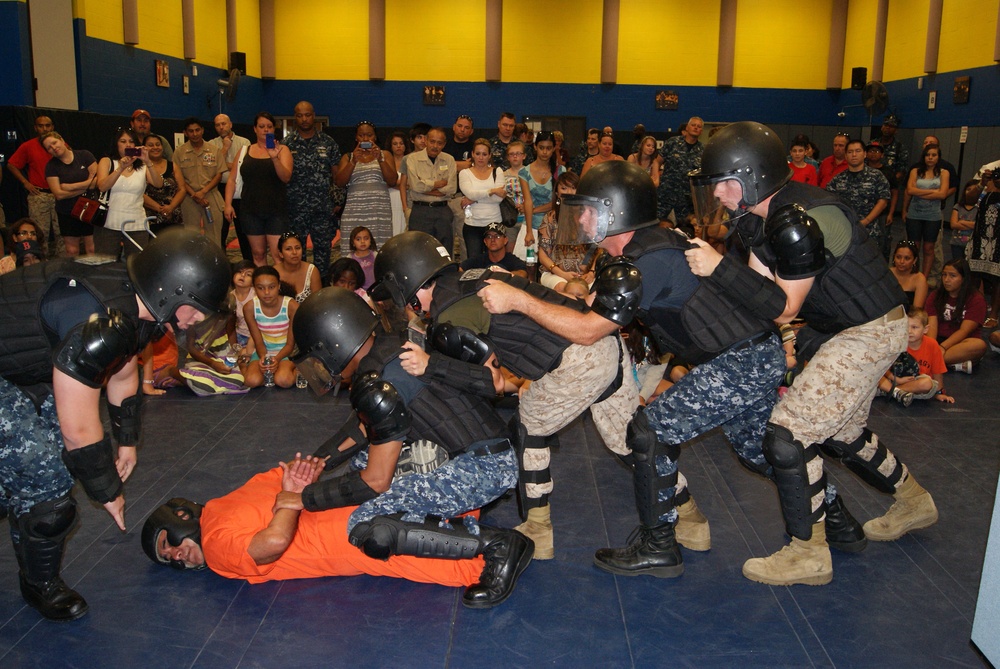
x: 736, y: 390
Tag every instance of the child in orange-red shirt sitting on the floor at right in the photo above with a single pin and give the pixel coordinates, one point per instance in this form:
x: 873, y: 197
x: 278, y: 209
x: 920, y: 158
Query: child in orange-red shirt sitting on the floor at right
x: 919, y: 372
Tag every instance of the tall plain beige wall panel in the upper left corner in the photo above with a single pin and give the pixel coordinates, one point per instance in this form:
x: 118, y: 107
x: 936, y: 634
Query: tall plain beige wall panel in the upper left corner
x: 53, y: 53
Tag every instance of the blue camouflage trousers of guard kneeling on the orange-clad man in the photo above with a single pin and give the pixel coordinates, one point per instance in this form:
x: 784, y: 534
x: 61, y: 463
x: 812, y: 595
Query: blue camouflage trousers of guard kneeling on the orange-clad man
x: 464, y: 483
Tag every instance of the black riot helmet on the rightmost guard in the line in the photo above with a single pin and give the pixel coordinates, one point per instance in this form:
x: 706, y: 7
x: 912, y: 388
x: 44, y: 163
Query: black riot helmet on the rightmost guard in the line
x: 748, y: 153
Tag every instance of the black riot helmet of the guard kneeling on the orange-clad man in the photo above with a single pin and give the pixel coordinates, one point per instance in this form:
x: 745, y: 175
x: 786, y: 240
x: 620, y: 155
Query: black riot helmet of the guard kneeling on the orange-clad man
x: 329, y: 328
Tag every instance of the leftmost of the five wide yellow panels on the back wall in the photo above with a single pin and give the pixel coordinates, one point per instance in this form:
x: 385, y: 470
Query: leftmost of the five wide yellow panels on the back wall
x: 321, y: 40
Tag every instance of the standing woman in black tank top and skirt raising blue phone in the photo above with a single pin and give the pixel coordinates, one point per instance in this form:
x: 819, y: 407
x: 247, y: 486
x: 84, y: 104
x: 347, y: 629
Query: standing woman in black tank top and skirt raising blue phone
x: 263, y: 171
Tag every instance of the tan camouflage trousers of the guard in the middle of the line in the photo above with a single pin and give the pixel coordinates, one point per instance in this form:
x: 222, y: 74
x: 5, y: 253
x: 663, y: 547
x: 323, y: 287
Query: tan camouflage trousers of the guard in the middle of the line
x: 555, y: 400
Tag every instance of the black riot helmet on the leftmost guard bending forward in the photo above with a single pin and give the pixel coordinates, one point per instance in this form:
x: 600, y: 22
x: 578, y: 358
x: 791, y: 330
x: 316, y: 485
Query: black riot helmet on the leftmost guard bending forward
x: 180, y: 267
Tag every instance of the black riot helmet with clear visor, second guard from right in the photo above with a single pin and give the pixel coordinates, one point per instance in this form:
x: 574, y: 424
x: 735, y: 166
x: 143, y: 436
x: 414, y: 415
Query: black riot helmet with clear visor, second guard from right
x: 612, y: 198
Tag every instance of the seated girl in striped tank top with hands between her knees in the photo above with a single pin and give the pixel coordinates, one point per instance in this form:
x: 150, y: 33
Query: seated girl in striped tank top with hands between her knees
x: 269, y: 317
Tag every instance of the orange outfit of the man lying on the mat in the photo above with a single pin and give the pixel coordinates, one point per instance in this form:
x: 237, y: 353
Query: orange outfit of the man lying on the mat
x: 320, y: 547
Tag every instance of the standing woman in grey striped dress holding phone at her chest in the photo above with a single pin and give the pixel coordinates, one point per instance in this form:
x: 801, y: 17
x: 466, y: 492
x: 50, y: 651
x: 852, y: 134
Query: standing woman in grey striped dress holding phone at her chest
x: 367, y: 172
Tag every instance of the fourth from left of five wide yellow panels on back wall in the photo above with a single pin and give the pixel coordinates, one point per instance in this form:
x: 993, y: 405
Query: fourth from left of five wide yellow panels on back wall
x: 666, y: 43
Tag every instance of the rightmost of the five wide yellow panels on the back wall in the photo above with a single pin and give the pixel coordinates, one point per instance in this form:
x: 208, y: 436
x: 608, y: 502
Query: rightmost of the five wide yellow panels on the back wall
x: 766, y: 34
